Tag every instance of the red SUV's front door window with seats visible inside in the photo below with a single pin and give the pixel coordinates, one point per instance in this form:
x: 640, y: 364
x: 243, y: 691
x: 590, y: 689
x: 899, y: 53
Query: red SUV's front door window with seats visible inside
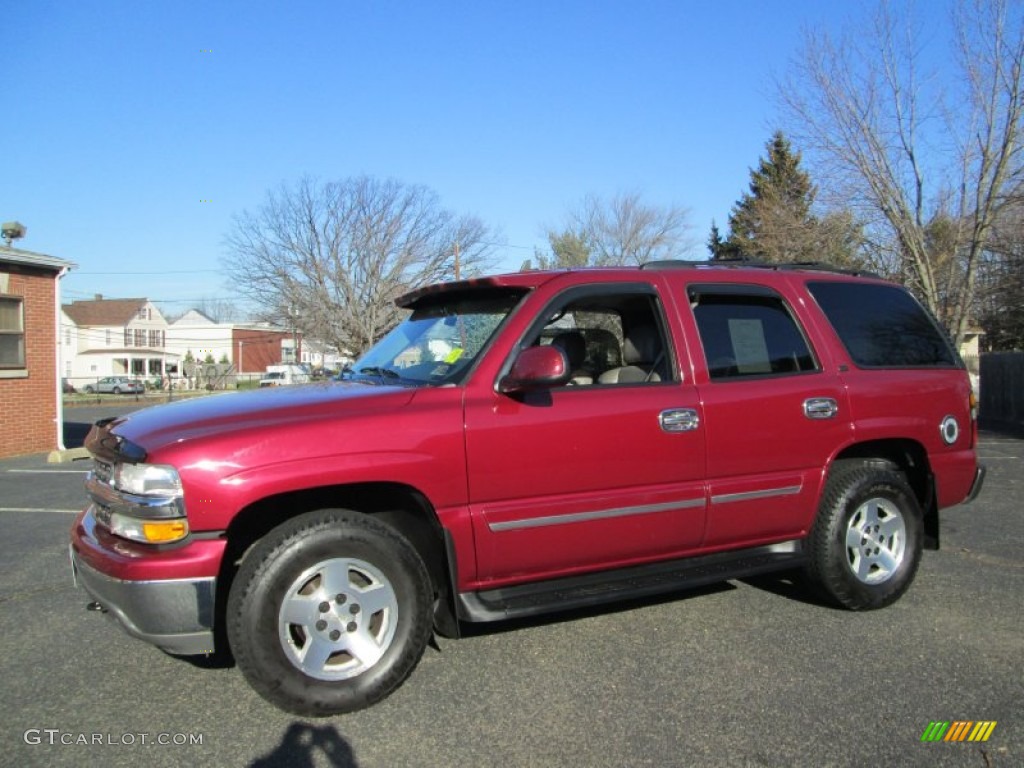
x: 609, y: 338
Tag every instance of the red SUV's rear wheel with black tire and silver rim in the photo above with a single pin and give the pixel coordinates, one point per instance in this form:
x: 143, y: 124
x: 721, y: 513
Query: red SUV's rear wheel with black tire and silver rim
x: 867, y: 541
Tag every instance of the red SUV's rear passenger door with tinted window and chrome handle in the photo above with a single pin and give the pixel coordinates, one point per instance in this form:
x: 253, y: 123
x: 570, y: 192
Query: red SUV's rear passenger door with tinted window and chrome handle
x: 774, y: 413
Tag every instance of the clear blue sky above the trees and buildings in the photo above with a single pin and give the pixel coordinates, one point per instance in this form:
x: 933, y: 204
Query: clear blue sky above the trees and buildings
x: 134, y: 132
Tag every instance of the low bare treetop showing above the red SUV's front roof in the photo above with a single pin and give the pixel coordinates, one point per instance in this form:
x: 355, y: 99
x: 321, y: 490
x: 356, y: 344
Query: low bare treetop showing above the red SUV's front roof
x: 621, y: 231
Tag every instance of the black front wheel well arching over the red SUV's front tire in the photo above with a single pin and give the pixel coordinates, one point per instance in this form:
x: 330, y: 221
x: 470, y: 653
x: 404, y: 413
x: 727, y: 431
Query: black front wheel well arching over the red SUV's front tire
x: 401, y: 506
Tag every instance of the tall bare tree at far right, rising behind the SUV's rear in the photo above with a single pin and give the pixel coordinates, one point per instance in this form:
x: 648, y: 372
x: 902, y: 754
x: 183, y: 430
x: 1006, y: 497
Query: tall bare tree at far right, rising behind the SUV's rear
x: 929, y: 168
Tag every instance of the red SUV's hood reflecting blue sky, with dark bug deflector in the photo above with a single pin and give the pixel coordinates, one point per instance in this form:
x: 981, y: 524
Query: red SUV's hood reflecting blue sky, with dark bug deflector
x: 257, y: 412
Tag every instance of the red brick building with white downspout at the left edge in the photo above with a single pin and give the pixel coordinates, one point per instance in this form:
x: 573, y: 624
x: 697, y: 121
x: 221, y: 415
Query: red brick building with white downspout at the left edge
x: 31, y: 414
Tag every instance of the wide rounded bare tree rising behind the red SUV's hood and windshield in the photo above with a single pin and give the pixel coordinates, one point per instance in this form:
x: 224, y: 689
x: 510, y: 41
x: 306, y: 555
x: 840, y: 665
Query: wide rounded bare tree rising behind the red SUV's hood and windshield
x: 330, y: 259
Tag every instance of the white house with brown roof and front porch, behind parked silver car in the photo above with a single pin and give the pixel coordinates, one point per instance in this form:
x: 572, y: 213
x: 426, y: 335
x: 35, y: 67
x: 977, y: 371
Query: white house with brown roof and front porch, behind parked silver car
x: 114, y: 337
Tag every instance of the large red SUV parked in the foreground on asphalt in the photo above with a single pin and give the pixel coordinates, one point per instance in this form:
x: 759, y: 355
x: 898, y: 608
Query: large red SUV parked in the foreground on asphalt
x: 529, y: 444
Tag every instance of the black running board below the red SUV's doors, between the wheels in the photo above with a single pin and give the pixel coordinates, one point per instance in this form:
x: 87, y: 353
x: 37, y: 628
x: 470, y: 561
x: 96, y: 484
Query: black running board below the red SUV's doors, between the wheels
x: 623, y: 584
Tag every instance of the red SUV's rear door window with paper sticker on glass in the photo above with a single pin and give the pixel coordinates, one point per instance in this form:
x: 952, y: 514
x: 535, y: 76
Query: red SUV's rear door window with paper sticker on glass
x: 749, y: 335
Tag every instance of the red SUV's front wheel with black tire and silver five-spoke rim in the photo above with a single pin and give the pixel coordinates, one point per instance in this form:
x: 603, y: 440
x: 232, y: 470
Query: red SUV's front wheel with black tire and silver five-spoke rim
x: 302, y: 592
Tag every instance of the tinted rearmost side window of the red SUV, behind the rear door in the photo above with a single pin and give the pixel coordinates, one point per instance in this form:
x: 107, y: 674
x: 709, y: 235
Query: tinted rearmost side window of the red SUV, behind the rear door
x: 883, y: 326
